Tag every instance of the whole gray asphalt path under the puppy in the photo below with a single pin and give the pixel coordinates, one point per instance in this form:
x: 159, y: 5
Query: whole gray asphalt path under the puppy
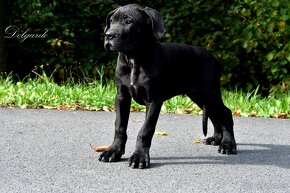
x: 49, y: 151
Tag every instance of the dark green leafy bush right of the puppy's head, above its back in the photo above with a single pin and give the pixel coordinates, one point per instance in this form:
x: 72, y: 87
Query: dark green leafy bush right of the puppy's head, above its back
x: 251, y: 38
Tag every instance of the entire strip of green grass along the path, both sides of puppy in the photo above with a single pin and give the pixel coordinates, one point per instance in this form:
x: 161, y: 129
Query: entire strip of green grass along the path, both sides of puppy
x: 42, y: 92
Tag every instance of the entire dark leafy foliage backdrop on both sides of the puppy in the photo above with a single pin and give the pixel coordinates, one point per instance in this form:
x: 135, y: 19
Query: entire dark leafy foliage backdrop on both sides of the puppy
x: 251, y: 38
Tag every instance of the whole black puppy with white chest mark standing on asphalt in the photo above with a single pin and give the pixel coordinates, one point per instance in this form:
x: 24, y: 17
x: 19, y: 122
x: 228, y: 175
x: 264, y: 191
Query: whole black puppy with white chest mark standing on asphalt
x: 151, y: 72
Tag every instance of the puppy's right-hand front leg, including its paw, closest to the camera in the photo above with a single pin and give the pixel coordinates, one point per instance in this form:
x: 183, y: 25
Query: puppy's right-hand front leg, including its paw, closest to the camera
x: 140, y: 158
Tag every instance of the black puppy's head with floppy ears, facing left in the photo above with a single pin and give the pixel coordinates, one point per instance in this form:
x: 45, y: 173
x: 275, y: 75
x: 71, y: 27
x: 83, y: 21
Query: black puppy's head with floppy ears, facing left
x: 130, y: 26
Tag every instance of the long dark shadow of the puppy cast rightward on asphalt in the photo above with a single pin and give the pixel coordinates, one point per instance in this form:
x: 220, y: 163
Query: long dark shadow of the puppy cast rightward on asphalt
x: 248, y: 154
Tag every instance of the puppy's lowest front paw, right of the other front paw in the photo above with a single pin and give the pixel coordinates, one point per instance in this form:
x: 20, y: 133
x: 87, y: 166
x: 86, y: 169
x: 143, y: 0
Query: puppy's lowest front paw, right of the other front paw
x: 140, y: 159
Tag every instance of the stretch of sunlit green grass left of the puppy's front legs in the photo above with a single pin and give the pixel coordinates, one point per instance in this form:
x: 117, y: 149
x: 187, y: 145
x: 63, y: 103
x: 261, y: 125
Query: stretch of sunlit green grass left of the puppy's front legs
x: 44, y: 93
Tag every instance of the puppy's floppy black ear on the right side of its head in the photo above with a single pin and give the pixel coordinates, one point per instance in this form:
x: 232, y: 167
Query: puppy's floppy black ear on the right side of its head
x: 157, y: 23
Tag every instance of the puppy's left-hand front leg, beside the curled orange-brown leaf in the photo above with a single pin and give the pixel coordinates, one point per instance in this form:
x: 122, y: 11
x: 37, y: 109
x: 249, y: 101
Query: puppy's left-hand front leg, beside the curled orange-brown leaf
x: 122, y: 104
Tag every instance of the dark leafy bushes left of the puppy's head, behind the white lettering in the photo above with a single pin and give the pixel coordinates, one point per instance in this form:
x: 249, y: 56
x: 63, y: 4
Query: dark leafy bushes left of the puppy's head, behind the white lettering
x: 74, y: 47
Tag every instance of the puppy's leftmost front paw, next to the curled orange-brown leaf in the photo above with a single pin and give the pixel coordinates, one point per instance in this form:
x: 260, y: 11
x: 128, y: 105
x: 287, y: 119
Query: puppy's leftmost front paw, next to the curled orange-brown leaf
x: 111, y: 155
